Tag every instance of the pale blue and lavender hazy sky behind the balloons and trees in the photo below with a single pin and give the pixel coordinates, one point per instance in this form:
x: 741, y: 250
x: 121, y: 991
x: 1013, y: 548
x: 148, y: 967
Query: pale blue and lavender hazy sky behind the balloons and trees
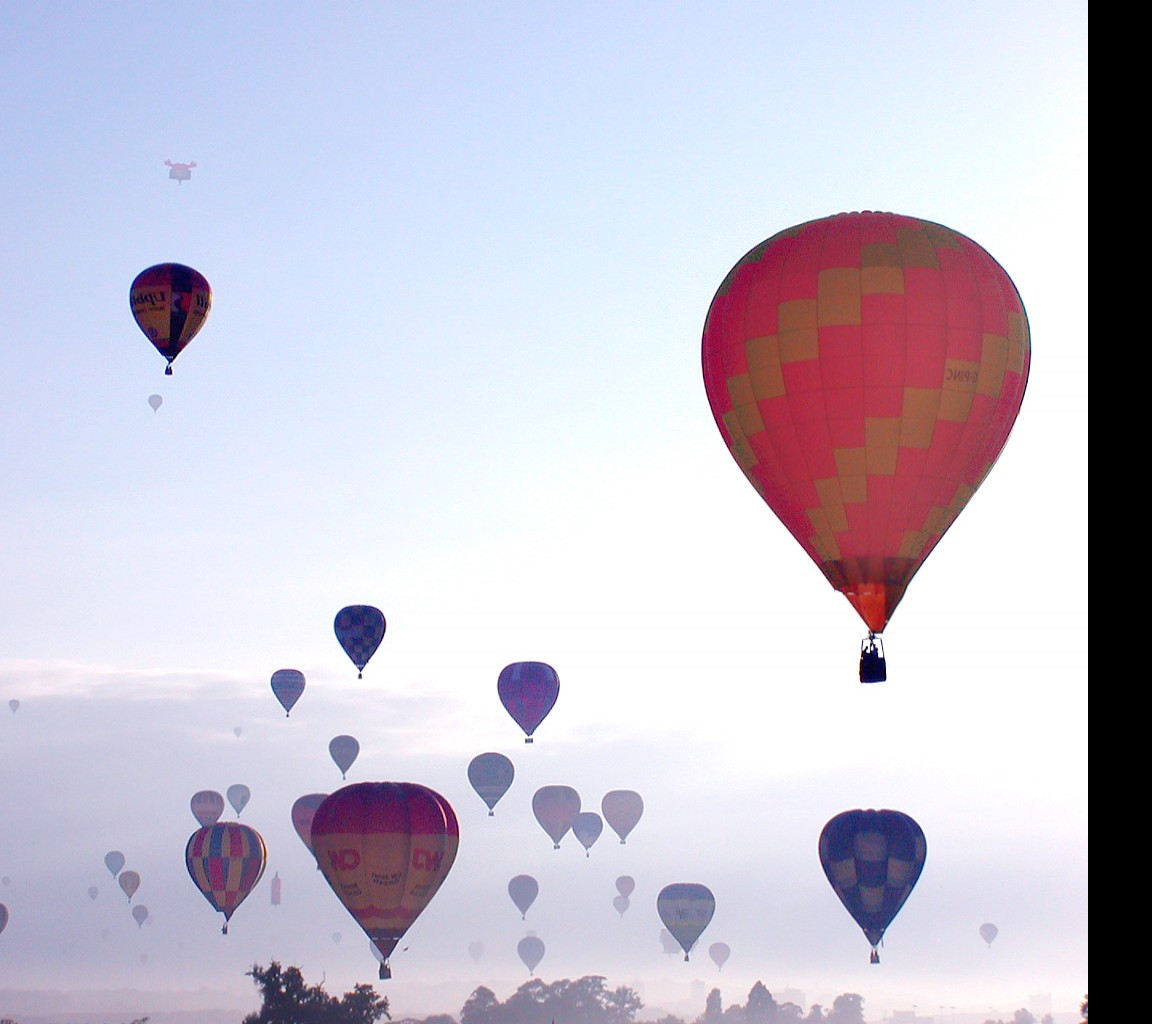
x: 461, y: 257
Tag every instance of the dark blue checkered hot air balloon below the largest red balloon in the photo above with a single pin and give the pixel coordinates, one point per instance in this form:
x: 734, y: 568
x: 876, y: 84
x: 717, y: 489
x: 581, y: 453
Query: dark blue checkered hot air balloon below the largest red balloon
x: 873, y: 860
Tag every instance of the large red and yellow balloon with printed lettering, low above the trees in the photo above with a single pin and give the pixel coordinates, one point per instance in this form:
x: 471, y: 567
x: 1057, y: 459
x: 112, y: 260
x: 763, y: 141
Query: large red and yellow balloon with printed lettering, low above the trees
x: 385, y: 848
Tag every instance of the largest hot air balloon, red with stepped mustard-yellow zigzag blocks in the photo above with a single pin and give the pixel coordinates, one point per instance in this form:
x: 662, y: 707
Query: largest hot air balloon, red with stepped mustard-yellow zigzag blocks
x: 866, y: 371
